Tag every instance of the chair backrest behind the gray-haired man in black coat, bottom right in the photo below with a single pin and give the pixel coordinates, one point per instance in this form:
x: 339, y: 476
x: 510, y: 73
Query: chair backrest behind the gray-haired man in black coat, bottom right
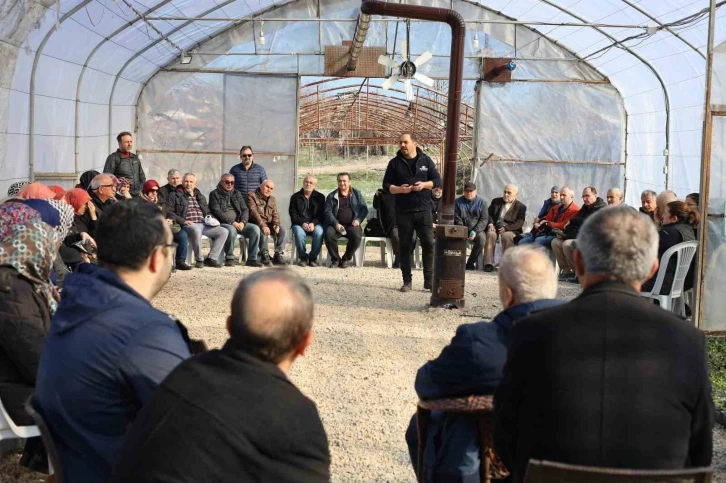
x: 550, y: 472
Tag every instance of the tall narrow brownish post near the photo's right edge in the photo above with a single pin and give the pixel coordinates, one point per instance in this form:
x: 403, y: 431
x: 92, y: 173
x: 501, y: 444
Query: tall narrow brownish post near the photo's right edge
x: 705, y: 169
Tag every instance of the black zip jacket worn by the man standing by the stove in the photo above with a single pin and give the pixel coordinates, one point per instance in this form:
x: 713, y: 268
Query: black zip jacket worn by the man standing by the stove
x: 399, y: 173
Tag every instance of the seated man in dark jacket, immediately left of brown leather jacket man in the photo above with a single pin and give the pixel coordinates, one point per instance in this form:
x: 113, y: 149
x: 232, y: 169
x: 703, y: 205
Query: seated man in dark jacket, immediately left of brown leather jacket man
x: 229, y: 206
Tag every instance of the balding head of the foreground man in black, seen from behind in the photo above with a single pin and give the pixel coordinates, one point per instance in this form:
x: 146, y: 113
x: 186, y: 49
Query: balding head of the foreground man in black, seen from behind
x: 271, y: 331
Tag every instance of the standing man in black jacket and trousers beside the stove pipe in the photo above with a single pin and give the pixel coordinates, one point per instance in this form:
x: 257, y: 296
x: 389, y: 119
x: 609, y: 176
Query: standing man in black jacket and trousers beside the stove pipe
x: 411, y: 176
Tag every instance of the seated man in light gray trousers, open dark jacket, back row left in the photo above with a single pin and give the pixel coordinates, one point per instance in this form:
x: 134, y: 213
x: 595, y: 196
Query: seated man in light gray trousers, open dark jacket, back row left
x: 188, y: 207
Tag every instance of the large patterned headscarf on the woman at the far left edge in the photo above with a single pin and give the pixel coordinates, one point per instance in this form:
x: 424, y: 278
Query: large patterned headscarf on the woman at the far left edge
x: 30, y: 249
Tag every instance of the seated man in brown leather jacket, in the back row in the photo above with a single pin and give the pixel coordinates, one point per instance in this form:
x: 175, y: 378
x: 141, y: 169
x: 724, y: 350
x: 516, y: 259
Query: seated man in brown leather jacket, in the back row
x: 264, y: 214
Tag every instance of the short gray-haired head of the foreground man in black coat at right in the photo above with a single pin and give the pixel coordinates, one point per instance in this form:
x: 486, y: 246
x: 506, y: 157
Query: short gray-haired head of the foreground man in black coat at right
x: 620, y: 242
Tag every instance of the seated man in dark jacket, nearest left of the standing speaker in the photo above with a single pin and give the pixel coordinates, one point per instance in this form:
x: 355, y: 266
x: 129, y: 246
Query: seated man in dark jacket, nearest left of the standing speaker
x: 345, y: 210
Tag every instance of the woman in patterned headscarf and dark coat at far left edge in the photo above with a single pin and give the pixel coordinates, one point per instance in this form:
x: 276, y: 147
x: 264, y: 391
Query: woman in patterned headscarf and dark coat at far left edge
x: 27, y: 302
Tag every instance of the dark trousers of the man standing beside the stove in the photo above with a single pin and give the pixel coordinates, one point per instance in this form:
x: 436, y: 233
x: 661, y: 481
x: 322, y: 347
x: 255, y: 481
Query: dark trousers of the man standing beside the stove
x: 420, y: 222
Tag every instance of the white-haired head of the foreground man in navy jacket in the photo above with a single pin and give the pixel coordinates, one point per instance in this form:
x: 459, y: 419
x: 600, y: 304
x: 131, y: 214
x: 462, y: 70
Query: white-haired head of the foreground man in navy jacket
x: 528, y: 272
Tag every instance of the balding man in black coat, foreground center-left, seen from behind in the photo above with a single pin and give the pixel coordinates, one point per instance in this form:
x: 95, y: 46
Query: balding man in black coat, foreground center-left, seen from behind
x: 232, y: 415
